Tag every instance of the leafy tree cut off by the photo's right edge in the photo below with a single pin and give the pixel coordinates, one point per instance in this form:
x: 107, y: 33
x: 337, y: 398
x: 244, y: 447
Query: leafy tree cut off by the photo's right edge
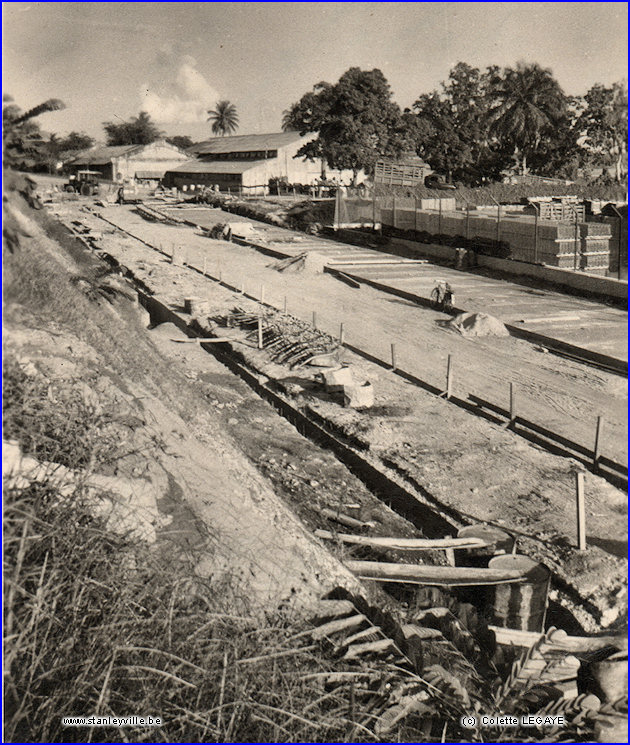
x: 604, y: 123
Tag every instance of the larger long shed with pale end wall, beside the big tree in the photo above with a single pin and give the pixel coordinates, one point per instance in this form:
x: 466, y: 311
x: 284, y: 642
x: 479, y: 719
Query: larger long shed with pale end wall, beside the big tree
x: 247, y: 162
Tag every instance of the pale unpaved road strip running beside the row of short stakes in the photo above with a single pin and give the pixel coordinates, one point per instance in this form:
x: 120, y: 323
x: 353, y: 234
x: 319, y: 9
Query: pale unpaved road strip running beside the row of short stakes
x: 564, y: 396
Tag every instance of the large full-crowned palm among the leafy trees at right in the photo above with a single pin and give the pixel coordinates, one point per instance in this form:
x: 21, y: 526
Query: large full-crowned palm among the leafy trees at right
x: 528, y: 103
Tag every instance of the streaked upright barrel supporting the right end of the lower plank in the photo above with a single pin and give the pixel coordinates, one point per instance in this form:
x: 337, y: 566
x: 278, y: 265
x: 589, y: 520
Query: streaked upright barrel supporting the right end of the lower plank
x: 521, y: 605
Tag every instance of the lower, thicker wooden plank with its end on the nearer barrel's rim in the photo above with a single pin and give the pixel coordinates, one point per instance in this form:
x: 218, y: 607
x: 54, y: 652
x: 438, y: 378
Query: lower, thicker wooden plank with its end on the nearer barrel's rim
x: 432, y: 575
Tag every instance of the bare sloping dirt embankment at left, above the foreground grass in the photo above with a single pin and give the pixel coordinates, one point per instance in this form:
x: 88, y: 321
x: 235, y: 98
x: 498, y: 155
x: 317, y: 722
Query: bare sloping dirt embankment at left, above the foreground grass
x: 204, y: 493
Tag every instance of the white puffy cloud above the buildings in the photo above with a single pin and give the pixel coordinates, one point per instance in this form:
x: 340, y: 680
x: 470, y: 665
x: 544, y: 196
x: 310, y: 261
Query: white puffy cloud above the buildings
x: 185, y: 101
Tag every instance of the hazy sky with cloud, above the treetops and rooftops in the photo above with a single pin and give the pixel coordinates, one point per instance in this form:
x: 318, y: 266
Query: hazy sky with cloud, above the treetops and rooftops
x: 108, y: 61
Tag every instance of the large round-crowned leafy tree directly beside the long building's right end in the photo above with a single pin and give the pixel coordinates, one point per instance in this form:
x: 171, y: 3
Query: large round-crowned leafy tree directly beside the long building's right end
x: 355, y: 120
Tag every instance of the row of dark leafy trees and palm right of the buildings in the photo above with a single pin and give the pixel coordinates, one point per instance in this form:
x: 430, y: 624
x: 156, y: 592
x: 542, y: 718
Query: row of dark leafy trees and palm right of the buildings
x: 478, y: 124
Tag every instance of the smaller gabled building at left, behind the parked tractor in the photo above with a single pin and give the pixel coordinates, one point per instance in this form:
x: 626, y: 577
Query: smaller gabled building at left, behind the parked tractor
x: 130, y: 162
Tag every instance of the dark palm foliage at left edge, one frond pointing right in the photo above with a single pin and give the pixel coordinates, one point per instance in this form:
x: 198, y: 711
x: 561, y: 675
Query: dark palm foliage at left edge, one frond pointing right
x: 23, y: 144
